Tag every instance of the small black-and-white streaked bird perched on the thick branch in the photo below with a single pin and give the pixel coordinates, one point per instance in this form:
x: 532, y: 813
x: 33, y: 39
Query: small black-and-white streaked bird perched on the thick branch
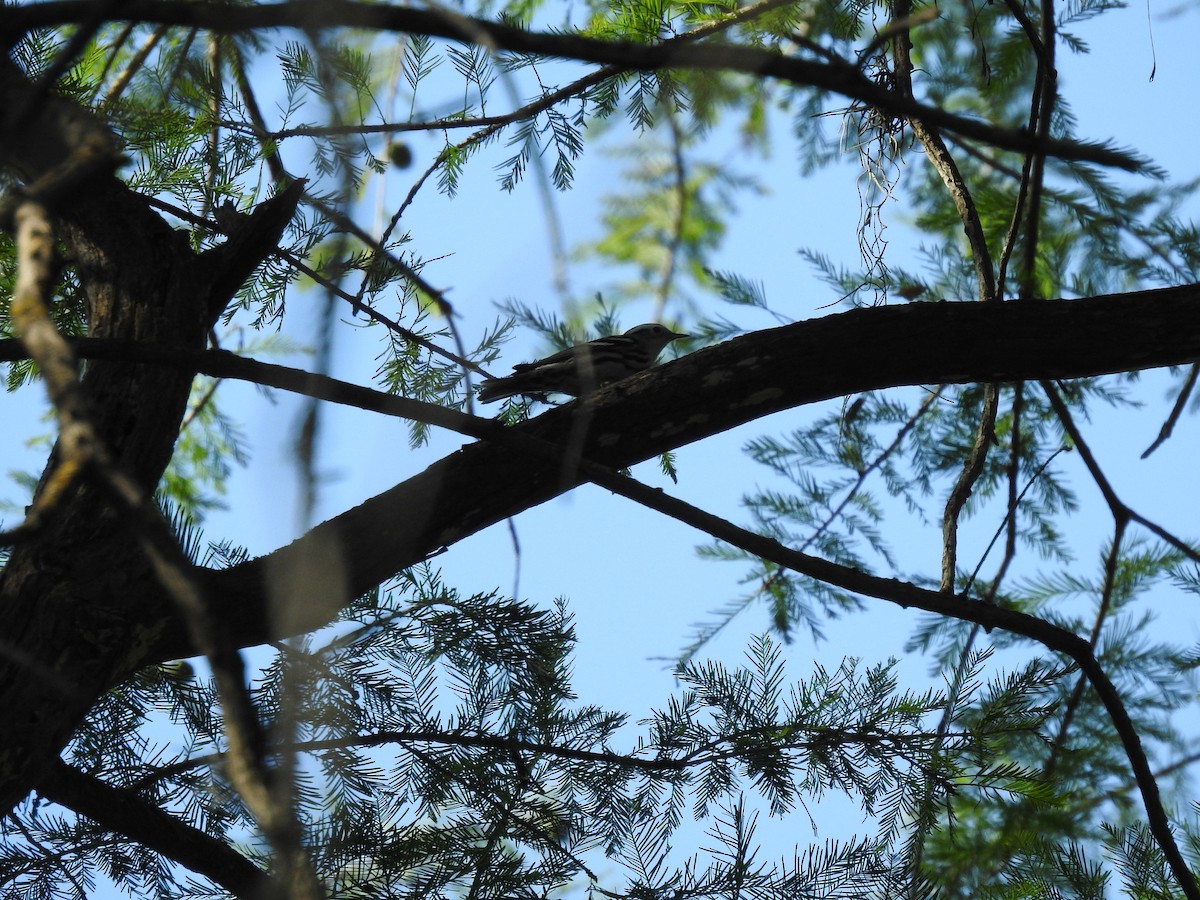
x: 585, y: 368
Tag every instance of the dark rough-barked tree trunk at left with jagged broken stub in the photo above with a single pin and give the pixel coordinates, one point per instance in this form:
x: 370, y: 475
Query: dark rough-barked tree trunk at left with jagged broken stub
x: 70, y: 622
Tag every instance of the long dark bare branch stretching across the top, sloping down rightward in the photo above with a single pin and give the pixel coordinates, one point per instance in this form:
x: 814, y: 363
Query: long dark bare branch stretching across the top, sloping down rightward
x: 839, y: 79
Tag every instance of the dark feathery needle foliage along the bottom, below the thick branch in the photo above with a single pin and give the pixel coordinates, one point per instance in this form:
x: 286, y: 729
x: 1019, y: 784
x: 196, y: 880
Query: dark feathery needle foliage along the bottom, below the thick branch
x: 440, y: 739
